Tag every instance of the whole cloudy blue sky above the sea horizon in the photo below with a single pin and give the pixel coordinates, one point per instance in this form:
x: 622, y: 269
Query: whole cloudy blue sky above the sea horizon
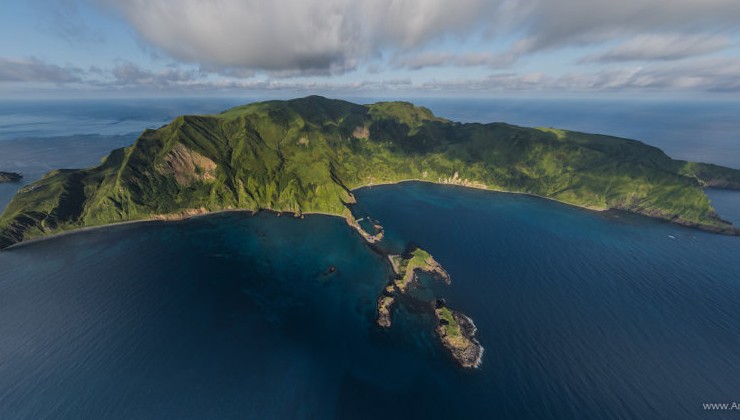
x: 544, y: 48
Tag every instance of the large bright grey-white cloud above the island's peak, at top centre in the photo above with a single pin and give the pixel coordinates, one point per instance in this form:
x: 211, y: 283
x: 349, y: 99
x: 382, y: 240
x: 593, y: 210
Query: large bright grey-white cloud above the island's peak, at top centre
x: 297, y: 35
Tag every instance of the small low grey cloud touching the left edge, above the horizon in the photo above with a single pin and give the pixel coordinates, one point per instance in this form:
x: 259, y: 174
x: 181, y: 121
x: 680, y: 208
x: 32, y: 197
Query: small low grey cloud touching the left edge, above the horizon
x: 35, y: 70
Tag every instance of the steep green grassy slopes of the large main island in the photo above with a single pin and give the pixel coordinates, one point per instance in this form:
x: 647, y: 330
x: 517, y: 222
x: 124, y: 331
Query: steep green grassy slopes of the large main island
x: 306, y: 155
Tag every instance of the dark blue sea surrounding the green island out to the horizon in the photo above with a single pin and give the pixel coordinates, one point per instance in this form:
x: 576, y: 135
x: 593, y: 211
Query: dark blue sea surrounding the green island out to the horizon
x: 237, y: 316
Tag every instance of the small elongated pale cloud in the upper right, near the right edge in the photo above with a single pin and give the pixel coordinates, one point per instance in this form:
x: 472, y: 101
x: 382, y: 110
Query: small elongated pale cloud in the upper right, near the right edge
x: 662, y: 47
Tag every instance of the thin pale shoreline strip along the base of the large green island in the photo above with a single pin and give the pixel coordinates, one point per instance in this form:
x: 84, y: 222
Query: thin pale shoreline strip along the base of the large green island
x: 174, y: 217
